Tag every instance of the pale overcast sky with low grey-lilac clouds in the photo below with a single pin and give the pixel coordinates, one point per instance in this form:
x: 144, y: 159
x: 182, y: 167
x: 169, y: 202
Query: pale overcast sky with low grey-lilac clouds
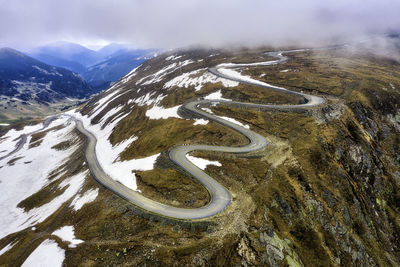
x: 178, y: 23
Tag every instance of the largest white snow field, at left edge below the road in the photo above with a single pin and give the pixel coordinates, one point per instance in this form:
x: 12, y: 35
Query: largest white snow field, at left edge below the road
x: 29, y: 175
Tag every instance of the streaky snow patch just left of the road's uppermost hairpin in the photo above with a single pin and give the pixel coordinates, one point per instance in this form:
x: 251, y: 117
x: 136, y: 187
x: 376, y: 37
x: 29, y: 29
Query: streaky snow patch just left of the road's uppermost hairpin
x: 191, y: 79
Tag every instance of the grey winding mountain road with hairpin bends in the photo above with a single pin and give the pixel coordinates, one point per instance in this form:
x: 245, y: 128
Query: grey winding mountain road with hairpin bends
x: 220, y: 196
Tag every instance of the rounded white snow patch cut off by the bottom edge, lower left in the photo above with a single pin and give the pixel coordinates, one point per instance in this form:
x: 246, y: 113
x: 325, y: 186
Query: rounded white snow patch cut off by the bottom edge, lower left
x: 48, y: 253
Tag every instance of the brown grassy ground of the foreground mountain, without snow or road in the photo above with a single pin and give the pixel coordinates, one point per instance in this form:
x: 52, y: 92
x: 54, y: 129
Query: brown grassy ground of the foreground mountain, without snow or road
x: 324, y: 193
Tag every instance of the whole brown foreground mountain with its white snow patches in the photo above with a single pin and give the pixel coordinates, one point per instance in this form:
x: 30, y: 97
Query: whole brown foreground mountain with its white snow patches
x: 323, y: 191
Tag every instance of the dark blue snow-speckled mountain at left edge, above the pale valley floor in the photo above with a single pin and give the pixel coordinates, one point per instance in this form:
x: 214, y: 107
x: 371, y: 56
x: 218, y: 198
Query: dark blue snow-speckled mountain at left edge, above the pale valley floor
x: 19, y: 74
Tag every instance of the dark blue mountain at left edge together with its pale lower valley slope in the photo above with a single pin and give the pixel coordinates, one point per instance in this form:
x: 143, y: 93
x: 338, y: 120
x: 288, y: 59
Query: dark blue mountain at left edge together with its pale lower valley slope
x: 25, y: 81
